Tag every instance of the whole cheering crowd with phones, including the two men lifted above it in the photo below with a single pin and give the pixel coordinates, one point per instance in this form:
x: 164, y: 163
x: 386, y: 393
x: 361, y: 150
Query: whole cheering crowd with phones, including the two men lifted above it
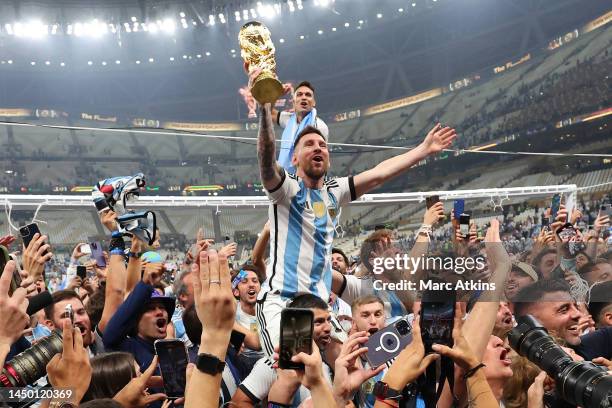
x: 129, y: 323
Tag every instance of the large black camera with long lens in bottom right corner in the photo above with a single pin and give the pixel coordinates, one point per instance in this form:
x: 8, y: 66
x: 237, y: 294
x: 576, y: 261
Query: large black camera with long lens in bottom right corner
x: 580, y: 383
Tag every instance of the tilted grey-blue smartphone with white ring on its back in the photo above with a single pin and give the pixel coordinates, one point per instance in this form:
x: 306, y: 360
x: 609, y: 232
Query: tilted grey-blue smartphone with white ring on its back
x: 387, y: 343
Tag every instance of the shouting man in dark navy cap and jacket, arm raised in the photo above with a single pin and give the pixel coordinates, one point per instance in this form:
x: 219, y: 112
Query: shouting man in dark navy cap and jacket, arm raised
x: 140, y: 320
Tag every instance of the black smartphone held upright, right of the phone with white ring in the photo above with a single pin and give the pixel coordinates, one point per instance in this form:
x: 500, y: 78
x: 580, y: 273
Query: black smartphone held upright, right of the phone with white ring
x: 437, y: 318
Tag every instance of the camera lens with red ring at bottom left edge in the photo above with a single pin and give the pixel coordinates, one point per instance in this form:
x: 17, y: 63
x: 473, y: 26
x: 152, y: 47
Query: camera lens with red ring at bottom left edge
x: 29, y: 366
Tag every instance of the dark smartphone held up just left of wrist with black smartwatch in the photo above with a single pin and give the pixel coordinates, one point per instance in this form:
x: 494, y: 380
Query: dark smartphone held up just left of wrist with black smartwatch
x: 173, y: 365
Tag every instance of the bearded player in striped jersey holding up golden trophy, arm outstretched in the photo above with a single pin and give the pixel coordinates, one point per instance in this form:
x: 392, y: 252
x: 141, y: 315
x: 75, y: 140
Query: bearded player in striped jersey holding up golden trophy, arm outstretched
x: 304, y: 207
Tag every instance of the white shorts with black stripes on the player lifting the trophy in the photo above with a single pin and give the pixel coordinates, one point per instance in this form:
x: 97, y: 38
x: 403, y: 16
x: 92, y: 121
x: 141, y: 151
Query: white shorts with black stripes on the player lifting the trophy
x: 268, y: 311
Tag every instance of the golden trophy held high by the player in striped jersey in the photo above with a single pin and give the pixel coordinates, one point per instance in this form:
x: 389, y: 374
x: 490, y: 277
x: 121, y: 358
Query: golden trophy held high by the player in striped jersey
x: 257, y: 51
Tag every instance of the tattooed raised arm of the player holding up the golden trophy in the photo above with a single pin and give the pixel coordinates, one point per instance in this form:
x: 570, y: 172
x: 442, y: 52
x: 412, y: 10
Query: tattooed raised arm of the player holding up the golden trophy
x: 269, y: 169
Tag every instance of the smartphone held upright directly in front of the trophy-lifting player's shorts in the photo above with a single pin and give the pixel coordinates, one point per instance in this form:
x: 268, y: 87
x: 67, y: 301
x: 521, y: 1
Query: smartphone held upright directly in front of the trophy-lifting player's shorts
x: 297, y: 326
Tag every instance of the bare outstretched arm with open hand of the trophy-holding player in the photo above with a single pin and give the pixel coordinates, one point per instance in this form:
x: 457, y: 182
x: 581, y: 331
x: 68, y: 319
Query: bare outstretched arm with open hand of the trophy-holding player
x: 438, y: 139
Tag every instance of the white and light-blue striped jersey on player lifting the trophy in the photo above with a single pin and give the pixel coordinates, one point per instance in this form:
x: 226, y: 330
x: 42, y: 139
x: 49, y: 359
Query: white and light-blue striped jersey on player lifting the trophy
x: 302, y: 228
